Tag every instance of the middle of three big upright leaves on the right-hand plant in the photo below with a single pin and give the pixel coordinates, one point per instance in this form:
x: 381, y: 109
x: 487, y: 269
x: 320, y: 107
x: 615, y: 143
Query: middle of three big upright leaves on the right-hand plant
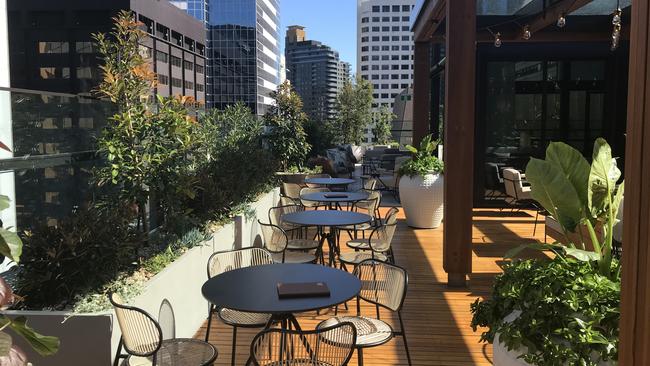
x: 574, y: 166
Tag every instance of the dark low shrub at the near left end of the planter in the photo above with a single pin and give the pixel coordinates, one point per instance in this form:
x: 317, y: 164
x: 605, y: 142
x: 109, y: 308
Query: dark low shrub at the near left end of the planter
x: 81, y: 252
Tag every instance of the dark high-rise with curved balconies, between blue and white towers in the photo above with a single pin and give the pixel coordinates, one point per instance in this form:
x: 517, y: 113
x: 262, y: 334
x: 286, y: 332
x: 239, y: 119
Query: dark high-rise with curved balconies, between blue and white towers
x: 315, y: 71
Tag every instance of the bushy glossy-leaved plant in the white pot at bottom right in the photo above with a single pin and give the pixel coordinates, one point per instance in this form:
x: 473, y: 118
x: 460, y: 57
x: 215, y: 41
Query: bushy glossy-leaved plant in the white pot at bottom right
x: 558, y: 312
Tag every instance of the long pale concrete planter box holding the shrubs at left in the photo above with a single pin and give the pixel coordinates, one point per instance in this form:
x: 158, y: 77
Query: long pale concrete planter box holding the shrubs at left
x: 91, y: 339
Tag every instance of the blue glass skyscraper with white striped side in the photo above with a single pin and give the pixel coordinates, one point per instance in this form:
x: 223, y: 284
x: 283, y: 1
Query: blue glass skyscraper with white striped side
x: 243, y: 50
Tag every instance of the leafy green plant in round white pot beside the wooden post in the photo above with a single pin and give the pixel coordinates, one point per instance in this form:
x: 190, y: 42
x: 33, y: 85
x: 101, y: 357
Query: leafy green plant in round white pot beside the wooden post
x: 421, y: 186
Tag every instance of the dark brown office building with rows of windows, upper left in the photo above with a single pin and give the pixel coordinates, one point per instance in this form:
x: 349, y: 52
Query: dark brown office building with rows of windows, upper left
x: 51, y: 45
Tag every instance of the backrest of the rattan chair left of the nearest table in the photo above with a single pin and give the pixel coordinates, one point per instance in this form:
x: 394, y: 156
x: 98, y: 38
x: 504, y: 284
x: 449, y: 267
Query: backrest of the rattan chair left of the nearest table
x: 141, y: 334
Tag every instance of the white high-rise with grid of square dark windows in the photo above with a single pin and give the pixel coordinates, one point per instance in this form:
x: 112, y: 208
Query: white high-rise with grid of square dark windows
x: 385, y: 47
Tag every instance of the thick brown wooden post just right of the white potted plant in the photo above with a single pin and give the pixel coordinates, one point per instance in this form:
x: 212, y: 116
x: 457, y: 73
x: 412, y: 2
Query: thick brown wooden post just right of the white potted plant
x: 460, y: 95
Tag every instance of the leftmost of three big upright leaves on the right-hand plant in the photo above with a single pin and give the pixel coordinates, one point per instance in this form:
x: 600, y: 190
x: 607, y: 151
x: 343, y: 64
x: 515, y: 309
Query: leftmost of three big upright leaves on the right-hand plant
x: 555, y: 192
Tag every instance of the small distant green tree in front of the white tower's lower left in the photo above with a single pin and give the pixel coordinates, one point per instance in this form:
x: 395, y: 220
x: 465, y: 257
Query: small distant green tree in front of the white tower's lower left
x: 353, y: 112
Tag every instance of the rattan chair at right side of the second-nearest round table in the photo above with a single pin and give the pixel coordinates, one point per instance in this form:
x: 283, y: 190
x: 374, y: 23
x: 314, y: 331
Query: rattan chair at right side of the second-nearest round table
x: 377, y: 246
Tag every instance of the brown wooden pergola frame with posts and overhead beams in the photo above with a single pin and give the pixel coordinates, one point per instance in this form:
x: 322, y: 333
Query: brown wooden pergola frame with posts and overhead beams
x: 461, y: 38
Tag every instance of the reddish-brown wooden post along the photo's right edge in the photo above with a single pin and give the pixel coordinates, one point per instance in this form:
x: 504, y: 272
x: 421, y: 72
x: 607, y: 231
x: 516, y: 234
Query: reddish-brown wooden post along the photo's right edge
x: 635, y: 289
